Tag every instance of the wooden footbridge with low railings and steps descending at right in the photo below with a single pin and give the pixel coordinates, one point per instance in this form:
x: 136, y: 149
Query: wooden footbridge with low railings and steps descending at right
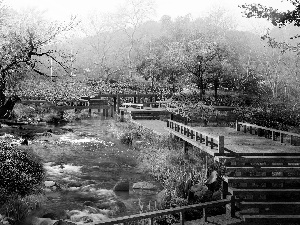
x: 262, y: 167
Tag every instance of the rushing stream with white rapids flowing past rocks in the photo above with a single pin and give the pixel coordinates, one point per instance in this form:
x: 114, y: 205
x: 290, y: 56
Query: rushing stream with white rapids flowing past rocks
x: 85, y: 163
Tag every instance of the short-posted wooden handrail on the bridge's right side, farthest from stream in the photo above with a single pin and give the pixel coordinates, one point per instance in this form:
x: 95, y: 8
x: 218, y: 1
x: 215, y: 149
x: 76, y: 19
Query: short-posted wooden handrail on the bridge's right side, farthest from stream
x: 273, y: 131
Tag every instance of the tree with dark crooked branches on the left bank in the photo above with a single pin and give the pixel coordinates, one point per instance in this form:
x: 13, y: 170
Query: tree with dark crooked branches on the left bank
x: 27, y: 43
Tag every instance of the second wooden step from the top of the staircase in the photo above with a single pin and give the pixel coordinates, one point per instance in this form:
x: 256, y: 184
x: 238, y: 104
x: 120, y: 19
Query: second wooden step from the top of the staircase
x: 262, y: 172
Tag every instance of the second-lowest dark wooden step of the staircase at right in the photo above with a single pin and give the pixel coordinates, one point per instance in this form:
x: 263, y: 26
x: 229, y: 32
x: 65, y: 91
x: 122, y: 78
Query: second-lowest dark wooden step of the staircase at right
x: 269, y: 208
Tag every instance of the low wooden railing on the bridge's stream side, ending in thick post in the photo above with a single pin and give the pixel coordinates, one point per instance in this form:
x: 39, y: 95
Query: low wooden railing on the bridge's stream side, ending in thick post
x: 196, y: 135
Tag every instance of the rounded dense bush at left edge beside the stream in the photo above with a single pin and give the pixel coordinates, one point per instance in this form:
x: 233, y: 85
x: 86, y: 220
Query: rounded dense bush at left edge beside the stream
x: 21, y: 172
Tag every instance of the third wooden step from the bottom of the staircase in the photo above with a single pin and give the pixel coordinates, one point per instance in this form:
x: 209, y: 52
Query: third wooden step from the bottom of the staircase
x: 267, y: 195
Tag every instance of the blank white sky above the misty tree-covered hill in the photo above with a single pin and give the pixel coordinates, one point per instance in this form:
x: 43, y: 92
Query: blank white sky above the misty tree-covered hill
x: 63, y: 9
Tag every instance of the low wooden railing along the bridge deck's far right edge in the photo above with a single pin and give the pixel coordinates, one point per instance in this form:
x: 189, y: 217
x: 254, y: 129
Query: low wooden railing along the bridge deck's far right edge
x: 268, y: 132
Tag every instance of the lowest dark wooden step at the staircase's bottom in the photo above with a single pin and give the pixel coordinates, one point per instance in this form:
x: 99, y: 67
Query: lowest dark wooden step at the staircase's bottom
x: 272, y: 219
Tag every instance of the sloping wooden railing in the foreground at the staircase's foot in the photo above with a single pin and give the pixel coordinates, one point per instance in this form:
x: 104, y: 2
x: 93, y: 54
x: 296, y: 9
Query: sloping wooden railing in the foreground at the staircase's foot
x: 151, y: 215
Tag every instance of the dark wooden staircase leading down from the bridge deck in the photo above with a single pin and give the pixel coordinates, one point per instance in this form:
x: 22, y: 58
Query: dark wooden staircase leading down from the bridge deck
x: 266, y: 188
